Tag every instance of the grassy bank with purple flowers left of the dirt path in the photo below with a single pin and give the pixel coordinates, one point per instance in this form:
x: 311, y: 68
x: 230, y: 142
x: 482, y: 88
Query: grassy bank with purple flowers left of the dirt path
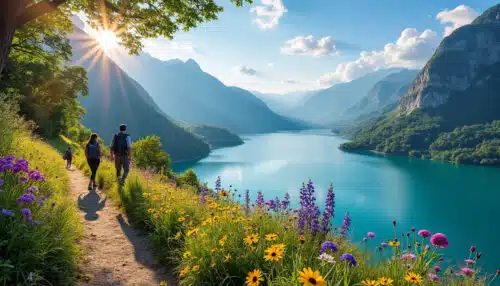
x: 41, y: 249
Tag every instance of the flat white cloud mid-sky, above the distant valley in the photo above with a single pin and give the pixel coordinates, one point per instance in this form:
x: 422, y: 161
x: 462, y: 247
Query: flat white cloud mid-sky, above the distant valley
x: 307, y: 45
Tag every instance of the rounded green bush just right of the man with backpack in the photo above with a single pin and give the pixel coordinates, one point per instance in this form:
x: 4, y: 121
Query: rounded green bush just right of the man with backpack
x: 148, y: 154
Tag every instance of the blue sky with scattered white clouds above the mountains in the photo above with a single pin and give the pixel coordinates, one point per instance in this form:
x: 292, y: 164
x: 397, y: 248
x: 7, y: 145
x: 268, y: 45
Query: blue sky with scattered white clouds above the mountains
x: 310, y: 44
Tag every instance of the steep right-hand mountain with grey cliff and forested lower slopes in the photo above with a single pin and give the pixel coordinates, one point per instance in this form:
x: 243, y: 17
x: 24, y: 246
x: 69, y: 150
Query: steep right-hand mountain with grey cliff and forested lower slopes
x: 450, y: 109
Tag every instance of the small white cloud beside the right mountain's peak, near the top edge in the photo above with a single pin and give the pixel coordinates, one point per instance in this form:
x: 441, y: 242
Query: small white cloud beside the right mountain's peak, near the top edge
x: 458, y: 17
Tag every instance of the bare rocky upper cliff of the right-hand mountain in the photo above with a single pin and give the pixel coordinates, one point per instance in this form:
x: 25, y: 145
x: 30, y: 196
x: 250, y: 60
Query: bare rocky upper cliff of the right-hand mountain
x: 456, y: 64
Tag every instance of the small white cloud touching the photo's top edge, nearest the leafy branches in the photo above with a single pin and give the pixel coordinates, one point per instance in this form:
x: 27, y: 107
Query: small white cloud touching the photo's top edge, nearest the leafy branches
x: 268, y: 14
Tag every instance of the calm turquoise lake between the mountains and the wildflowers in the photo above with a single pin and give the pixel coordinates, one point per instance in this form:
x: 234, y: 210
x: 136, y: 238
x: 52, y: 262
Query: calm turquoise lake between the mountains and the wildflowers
x: 462, y: 202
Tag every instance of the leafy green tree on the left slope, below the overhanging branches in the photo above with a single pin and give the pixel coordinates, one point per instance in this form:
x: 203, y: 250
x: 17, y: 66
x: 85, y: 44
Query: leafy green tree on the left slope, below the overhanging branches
x: 47, y: 89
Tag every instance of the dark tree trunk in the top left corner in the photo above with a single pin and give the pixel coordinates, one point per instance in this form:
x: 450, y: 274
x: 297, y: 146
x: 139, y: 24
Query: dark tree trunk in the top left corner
x: 9, y: 10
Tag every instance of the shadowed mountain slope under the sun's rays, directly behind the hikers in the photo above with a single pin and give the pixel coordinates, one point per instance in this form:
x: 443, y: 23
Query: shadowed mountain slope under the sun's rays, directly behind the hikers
x: 116, y: 98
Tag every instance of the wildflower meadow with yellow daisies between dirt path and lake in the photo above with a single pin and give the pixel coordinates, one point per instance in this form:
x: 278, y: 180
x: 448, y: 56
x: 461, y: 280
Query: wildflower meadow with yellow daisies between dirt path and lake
x: 211, y: 239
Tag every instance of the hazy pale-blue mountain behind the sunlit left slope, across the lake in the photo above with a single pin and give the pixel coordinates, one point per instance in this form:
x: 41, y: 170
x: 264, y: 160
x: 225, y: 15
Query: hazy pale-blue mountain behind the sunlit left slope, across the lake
x: 187, y: 93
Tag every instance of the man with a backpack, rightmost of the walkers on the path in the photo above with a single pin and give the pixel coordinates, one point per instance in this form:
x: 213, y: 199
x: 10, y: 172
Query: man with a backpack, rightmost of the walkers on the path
x: 121, y: 149
